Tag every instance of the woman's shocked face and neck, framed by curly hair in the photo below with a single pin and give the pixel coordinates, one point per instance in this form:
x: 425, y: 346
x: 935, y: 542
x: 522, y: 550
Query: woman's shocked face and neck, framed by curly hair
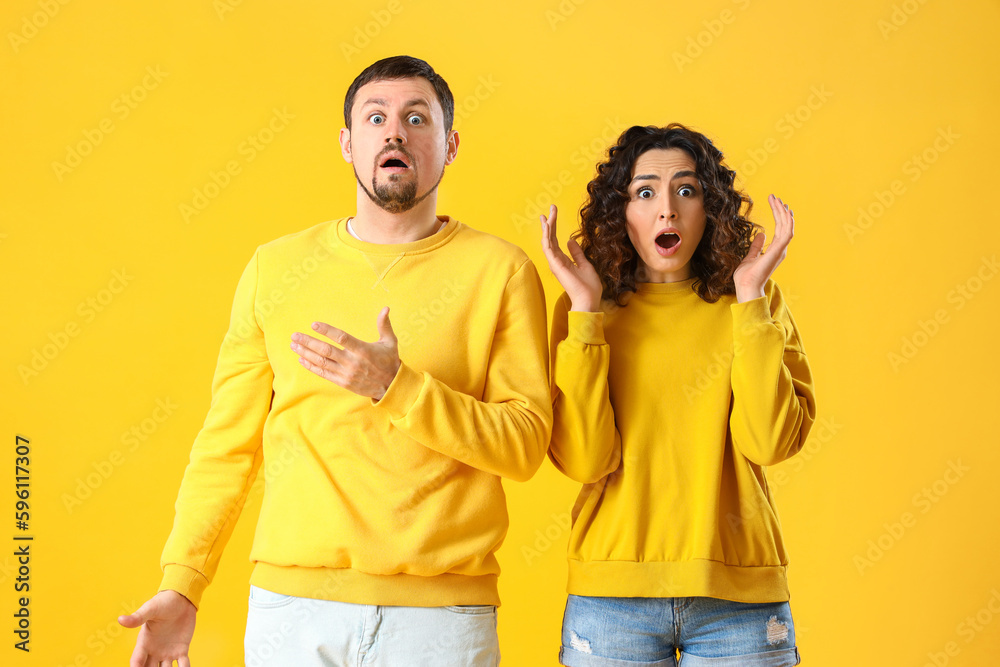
x: 665, y: 214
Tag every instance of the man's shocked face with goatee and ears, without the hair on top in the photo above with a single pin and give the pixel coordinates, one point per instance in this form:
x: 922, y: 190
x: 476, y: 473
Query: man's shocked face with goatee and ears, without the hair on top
x: 397, y: 142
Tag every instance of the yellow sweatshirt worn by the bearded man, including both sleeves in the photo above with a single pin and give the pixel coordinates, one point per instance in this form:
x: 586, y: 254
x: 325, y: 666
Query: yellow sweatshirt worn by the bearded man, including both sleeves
x: 394, y: 502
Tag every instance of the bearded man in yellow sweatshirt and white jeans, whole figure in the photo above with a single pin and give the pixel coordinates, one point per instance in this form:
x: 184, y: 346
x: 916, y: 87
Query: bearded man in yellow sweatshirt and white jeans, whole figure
x: 383, y: 505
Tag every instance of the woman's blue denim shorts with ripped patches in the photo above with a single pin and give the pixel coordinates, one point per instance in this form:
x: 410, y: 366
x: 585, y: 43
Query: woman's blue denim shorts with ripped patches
x: 706, y: 632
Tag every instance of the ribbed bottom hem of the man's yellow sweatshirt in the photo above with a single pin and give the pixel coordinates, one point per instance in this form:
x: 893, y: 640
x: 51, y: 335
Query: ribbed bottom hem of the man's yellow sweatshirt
x: 347, y: 585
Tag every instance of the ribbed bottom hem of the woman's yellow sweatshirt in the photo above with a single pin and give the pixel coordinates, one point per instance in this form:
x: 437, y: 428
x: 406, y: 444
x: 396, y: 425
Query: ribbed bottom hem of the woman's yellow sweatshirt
x: 694, y: 578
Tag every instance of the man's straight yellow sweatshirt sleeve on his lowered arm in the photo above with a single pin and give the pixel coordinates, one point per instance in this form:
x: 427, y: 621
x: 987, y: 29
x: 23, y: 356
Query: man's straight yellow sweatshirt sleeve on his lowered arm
x: 226, y: 453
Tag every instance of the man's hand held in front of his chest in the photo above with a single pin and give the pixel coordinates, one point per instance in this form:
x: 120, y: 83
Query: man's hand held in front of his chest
x: 366, y: 369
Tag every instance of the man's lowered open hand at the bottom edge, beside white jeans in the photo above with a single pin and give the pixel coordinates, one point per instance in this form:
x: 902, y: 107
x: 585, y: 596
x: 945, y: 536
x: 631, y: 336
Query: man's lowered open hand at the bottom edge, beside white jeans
x: 167, y: 621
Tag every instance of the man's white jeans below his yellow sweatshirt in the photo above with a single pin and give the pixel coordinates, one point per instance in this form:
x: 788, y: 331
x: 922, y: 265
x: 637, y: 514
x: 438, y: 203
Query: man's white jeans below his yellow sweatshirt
x: 287, y: 631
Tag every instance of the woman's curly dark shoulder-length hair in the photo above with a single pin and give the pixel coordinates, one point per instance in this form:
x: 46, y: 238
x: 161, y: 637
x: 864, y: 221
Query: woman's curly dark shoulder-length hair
x: 603, y: 233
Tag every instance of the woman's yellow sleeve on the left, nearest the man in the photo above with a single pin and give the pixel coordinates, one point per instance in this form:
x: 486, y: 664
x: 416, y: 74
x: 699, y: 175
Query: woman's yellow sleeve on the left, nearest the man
x: 586, y: 444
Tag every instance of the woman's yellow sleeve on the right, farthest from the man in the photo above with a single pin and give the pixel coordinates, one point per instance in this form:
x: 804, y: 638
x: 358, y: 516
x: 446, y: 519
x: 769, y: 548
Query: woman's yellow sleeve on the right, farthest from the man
x: 773, y: 397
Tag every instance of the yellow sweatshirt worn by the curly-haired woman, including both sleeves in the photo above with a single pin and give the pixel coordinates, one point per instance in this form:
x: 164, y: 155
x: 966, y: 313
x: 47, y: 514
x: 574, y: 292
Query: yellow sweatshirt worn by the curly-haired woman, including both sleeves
x: 668, y: 410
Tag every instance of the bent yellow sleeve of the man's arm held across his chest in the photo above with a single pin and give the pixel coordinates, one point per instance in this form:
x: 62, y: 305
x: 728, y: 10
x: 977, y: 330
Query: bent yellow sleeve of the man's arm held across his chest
x: 506, y: 433
